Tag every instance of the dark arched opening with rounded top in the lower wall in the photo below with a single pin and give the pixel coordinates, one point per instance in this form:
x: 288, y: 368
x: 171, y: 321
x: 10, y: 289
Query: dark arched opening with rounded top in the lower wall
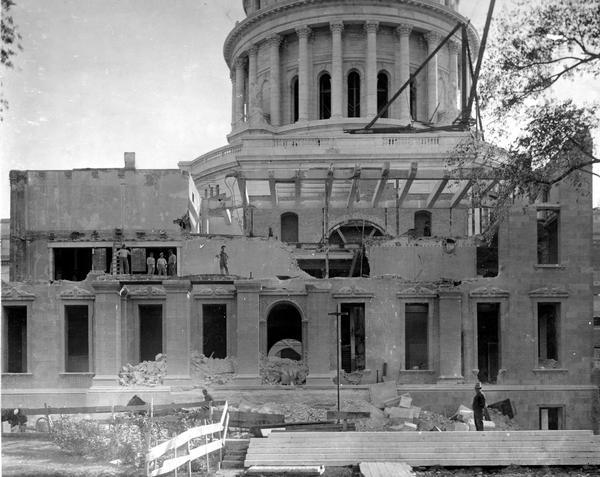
x: 284, y: 332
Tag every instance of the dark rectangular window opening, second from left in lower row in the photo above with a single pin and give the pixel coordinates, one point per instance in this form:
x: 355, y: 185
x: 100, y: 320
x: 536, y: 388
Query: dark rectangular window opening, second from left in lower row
x: 77, y: 339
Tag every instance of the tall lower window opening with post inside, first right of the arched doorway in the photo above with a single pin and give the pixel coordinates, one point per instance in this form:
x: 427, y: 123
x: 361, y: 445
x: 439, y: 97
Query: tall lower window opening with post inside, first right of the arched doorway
x: 352, y: 336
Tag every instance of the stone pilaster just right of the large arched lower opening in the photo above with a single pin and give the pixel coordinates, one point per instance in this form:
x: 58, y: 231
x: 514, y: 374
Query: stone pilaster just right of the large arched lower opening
x: 319, y: 340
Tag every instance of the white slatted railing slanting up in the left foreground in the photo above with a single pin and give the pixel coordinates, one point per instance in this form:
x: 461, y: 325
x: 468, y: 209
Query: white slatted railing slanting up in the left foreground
x: 182, y: 443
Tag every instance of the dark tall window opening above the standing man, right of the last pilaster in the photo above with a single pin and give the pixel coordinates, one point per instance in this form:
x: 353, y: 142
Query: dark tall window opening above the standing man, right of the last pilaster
x: 488, y: 341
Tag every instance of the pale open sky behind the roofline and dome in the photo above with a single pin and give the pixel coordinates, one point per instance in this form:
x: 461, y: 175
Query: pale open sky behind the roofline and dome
x: 97, y: 78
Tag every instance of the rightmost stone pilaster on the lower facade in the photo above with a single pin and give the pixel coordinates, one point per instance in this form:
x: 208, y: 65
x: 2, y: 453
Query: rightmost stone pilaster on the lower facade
x: 450, y: 335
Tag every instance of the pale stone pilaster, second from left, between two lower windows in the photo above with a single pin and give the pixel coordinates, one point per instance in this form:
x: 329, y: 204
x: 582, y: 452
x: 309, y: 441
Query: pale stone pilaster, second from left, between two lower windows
x: 177, y: 328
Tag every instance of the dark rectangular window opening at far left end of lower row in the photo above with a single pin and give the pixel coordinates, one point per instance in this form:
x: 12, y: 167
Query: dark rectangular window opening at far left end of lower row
x: 14, y: 343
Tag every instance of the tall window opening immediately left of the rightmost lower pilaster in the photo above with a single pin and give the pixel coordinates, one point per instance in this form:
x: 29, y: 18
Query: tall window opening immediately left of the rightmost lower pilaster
x: 415, y: 332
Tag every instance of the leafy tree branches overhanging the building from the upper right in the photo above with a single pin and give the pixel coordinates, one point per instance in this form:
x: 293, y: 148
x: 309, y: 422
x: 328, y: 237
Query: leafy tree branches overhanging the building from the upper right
x: 535, y: 46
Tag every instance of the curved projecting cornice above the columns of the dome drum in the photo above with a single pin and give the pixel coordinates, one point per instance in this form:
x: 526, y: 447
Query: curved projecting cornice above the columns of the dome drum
x: 282, y: 7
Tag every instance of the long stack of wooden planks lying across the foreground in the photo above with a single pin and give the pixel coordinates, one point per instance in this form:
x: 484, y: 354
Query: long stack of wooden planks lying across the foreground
x: 494, y: 448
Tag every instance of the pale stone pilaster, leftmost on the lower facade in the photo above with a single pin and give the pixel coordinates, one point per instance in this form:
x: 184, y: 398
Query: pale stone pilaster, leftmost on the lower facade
x: 107, y: 330
